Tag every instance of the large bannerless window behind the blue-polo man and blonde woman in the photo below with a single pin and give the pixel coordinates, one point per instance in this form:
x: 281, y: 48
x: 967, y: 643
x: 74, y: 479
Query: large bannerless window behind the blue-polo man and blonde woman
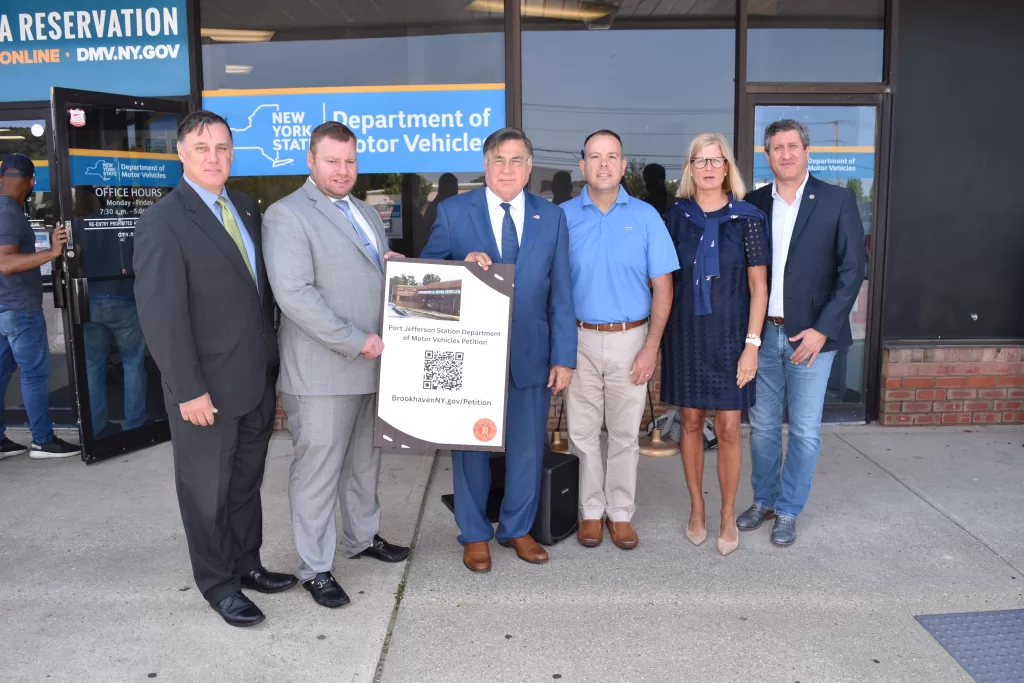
x: 659, y: 77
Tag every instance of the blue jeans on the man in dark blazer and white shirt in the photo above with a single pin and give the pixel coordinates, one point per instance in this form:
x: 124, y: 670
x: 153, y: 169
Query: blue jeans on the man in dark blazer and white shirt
x: 785, y: 488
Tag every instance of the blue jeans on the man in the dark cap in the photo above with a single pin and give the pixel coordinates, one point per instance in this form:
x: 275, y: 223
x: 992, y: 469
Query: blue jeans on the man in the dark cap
x: 24, y: 345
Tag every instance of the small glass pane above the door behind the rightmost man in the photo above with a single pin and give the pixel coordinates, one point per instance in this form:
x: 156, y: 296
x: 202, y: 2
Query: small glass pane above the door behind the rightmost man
x: 838, y: 41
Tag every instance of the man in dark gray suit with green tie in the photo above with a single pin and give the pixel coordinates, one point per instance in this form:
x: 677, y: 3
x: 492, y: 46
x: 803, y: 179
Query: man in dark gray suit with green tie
x: 205, y: 309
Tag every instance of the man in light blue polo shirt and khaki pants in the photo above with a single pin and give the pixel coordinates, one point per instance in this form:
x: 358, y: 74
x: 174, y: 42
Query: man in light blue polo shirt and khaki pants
x: 619, y: 251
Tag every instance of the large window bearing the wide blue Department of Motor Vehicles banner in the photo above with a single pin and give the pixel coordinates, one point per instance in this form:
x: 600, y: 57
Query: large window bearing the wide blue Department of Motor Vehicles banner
x: 421, y: 84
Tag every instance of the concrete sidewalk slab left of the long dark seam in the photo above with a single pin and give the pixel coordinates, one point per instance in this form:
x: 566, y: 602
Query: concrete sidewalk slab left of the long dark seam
x: 97, y: 584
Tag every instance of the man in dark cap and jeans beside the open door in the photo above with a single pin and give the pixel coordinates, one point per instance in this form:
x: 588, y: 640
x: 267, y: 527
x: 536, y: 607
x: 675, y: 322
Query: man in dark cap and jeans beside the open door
x: 23, y: 326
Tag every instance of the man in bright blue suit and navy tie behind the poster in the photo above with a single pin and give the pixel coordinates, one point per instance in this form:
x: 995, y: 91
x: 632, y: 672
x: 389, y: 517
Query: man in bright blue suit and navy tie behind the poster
x: 503, y: 224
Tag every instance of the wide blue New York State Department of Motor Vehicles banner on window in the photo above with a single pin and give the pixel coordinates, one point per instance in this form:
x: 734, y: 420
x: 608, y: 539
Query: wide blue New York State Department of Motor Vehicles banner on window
x: 417, y: 130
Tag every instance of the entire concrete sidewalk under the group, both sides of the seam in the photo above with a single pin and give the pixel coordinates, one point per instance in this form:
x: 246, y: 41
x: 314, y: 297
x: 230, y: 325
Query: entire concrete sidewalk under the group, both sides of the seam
x: 97, y: 585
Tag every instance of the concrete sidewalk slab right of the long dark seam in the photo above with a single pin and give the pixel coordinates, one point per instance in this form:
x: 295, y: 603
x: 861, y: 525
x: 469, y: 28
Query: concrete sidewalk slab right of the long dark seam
x: 900, y: 524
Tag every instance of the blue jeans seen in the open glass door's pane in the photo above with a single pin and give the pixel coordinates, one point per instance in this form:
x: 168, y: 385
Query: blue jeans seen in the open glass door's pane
x: 115, y: 320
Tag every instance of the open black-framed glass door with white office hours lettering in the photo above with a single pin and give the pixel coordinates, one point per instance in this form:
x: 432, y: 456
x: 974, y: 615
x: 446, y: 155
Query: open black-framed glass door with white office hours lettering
x: 115, y: 157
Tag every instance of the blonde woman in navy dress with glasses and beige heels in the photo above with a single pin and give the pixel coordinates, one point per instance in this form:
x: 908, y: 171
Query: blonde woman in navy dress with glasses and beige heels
x: 710, y: 358
